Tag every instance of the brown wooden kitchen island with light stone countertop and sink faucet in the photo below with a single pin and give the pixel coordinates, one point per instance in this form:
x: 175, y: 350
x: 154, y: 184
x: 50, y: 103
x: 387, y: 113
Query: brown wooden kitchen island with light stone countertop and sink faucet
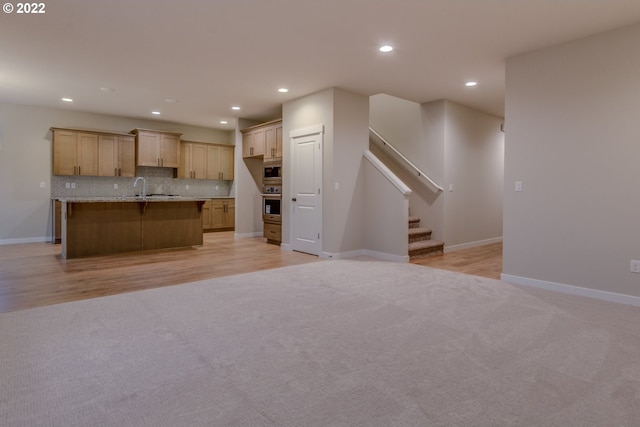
x: 108, y: 225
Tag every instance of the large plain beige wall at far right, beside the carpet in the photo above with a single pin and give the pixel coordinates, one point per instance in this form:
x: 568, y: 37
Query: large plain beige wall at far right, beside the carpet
x: 573, y: 139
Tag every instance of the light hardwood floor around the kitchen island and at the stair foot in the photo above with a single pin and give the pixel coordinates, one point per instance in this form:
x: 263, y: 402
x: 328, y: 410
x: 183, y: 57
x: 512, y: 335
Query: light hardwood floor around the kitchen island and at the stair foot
x: 35, y: 274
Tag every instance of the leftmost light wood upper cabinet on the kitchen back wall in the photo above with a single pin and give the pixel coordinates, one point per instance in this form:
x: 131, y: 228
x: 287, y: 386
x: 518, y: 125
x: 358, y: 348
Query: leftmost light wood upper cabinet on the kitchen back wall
x: 74, y: 152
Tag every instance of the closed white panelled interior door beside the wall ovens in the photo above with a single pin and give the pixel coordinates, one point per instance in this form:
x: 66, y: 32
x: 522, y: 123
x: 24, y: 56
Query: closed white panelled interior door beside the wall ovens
x: 306, y: 200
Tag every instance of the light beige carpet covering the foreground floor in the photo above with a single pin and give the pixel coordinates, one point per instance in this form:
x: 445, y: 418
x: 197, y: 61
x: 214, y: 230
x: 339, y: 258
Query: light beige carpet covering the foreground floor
x: 335, y: 343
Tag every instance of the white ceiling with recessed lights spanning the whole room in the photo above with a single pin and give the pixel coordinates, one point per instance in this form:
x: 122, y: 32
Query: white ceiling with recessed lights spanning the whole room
x: 210, y: 55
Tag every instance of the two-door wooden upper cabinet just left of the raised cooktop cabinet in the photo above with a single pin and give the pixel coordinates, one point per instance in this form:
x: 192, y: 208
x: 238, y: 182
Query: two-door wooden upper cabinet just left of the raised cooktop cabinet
x: 116, y: 154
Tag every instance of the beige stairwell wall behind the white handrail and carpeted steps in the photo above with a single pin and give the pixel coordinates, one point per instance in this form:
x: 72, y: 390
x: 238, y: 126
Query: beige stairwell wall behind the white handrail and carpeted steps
x: 454, y: 145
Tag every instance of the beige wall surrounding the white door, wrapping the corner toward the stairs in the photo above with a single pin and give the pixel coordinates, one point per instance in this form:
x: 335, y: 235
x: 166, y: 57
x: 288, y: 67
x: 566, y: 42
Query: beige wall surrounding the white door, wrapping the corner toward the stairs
x: 345, y: 117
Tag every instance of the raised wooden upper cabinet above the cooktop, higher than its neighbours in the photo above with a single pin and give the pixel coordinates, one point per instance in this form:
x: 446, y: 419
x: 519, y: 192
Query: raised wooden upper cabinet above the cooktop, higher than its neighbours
x: 157, y: 148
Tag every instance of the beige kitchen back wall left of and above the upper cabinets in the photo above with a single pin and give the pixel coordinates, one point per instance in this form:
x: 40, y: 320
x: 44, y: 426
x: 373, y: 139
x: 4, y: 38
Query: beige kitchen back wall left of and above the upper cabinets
x: 25, y: 161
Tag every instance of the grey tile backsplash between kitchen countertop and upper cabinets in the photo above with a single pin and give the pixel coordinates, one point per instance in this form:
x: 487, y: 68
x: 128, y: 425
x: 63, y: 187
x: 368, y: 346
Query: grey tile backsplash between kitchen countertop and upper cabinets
x: 159, y: 181
